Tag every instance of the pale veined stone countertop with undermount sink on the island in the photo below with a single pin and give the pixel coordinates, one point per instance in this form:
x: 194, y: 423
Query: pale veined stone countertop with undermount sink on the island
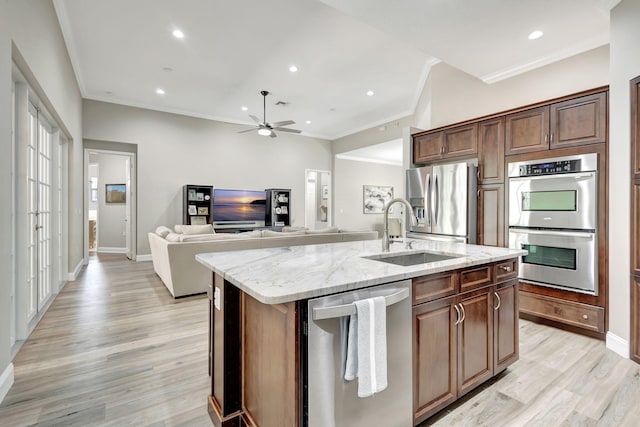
x: 279, y: 275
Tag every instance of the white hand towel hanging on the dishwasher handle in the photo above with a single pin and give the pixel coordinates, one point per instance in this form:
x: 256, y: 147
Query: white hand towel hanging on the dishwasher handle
x: 368, y: 339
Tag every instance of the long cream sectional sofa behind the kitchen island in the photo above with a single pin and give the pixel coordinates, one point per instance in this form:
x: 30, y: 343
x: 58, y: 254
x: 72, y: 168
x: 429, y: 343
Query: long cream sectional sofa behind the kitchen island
x: 175, y: 263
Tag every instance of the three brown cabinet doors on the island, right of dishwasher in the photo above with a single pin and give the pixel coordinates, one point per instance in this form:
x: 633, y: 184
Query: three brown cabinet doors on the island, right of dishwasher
x: 460, y: 342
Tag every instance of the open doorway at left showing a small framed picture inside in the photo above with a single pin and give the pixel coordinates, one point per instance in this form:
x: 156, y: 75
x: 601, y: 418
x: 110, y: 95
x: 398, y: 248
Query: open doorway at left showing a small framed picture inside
x: 110, y: 202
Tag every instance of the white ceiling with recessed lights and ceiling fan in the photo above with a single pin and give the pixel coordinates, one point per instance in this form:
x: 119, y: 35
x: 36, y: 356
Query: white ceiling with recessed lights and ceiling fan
x: 123, y: 50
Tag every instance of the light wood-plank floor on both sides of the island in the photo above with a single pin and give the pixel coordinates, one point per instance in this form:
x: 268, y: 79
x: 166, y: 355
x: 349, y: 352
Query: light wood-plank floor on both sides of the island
x: 114, y: 349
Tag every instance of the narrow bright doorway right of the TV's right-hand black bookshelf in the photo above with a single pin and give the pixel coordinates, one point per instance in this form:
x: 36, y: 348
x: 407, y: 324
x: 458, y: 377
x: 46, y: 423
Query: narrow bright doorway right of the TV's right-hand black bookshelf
x: 317, y: 212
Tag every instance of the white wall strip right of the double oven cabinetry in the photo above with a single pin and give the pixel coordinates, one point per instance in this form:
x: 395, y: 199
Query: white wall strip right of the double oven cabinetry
x: 625, y: 65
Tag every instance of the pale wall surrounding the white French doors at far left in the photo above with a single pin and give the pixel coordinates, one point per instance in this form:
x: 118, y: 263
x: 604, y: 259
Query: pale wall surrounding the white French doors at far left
x: 29, y: 33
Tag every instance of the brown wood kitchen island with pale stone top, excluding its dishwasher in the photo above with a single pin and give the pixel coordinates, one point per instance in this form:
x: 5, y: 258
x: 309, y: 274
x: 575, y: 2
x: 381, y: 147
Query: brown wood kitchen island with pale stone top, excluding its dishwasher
x: 463, y: 311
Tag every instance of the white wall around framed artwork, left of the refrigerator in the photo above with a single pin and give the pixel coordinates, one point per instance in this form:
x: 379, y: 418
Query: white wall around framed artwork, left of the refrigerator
x: 350, y: 176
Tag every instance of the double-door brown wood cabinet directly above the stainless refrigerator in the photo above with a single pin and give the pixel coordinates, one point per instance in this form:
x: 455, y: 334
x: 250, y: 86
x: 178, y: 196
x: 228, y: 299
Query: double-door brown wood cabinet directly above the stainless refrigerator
x: 459, y: 141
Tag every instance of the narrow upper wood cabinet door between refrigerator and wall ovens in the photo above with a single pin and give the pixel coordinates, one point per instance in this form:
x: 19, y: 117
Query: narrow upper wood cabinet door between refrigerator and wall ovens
x: 491, y: 151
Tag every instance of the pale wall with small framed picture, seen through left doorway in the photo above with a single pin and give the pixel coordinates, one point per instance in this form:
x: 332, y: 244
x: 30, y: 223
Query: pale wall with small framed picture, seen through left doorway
x: 112, y: 169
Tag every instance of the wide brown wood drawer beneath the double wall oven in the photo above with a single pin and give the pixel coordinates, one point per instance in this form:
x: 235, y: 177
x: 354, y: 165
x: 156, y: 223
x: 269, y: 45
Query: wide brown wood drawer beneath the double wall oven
x: 567, y: 312
